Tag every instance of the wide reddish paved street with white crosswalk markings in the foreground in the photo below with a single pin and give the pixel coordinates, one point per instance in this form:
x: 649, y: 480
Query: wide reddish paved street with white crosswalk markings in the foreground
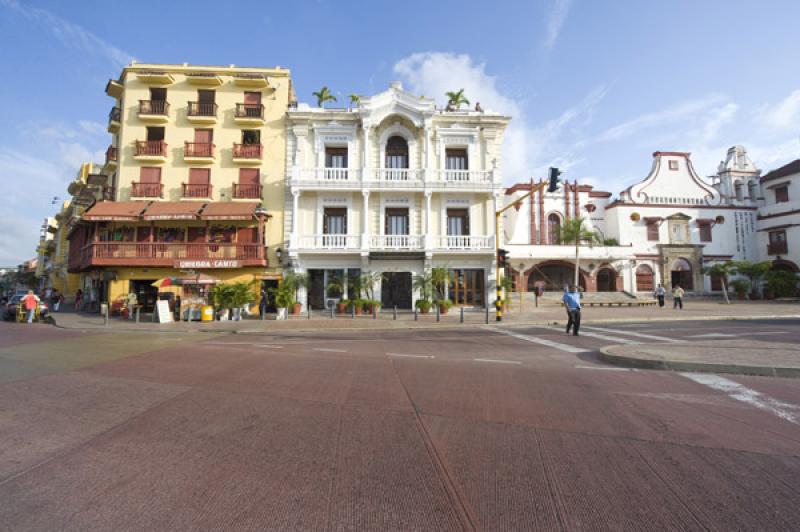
x: 472, y: 428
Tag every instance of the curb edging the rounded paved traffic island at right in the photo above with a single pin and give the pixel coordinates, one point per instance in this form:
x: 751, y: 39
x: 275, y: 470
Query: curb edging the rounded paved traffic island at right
x: 692, y: 367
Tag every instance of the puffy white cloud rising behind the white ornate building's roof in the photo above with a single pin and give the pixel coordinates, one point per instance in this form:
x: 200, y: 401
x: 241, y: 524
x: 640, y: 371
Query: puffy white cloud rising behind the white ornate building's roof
x: 526, y: 148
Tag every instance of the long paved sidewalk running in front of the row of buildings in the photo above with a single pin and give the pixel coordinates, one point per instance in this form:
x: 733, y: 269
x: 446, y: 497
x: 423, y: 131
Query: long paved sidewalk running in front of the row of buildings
x: 695, y: 309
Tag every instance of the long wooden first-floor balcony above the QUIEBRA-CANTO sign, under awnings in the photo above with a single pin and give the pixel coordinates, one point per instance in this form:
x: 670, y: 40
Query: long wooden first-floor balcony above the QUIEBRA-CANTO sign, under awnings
x: 221, y: 255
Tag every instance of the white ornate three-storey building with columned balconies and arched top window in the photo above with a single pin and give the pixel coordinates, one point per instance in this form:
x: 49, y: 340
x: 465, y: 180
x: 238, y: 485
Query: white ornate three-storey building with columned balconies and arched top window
x: 394, y: 186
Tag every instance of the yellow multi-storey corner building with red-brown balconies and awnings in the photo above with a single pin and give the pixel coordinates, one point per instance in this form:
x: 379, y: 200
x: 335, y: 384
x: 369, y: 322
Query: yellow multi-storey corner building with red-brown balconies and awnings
x: 192, y: 186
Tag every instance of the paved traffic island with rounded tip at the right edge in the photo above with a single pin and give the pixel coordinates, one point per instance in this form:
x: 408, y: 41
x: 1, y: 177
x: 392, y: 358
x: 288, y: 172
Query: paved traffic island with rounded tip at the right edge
x: 743, y: 357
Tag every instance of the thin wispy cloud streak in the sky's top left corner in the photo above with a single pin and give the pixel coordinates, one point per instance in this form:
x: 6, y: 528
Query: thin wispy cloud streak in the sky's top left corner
x: 70, y: 34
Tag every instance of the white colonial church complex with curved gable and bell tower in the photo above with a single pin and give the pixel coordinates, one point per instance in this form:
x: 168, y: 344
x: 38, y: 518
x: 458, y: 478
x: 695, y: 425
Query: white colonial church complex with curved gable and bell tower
x: 663, y: 229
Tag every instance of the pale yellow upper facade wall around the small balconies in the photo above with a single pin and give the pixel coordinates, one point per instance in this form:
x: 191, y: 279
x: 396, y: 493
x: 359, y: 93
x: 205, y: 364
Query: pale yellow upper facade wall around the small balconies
x: 224, y: 172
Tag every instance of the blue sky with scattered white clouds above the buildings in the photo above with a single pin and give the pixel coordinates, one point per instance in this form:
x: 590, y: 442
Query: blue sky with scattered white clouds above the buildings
x: 593, y: 87
